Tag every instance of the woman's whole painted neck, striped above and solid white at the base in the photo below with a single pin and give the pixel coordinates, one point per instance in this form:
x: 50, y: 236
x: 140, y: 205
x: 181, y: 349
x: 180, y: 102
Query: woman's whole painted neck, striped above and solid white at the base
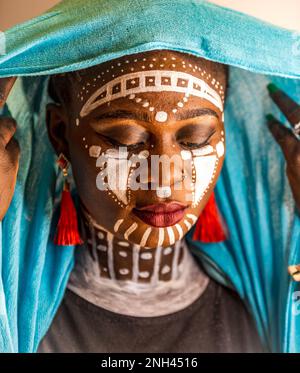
x: 133, y: 280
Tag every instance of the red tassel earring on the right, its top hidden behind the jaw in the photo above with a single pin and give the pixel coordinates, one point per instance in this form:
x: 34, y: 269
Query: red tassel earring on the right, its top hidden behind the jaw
x: 210, y: 227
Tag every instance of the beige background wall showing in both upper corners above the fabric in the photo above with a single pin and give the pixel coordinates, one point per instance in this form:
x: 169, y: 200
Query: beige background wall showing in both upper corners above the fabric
x: 283, y: 13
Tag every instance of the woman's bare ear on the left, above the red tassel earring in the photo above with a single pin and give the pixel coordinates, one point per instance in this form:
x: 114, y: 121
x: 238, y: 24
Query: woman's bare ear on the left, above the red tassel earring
x: 57, y: 124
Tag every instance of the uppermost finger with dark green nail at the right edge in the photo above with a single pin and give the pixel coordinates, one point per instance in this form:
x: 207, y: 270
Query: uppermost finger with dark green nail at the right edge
x: 286, y: 104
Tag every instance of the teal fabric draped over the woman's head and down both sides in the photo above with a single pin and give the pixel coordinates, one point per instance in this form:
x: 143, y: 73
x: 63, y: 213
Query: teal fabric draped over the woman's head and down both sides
x: 253, y: 192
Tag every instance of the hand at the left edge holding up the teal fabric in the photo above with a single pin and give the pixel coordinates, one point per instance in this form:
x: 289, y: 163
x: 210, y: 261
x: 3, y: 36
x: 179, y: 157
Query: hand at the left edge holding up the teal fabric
x: 9, y: 151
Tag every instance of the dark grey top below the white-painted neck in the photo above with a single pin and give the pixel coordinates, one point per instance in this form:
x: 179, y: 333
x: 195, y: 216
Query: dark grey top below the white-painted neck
x: 216, y: 322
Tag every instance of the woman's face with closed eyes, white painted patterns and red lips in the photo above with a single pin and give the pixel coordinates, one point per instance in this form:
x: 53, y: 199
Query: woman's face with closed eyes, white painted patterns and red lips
x: 145, y: 138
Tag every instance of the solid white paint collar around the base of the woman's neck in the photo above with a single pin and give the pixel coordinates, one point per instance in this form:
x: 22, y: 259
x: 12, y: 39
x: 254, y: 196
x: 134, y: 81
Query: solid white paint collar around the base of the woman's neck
x: 153, y: 299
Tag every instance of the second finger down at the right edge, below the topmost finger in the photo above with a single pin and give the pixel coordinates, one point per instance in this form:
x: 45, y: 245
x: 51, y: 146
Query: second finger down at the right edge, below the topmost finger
x: 284, y: 137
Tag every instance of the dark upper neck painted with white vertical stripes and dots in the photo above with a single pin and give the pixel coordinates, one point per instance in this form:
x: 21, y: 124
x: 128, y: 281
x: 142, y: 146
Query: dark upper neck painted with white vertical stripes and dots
x: 119, y: 260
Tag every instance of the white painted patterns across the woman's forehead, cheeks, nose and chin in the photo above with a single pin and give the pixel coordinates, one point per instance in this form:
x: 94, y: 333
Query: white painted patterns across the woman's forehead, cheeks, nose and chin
x: 205, y: 159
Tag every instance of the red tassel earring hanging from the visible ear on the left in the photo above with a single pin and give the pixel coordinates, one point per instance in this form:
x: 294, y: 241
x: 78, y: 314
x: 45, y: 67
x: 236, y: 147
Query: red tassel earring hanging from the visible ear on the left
x: 67, y: 233
